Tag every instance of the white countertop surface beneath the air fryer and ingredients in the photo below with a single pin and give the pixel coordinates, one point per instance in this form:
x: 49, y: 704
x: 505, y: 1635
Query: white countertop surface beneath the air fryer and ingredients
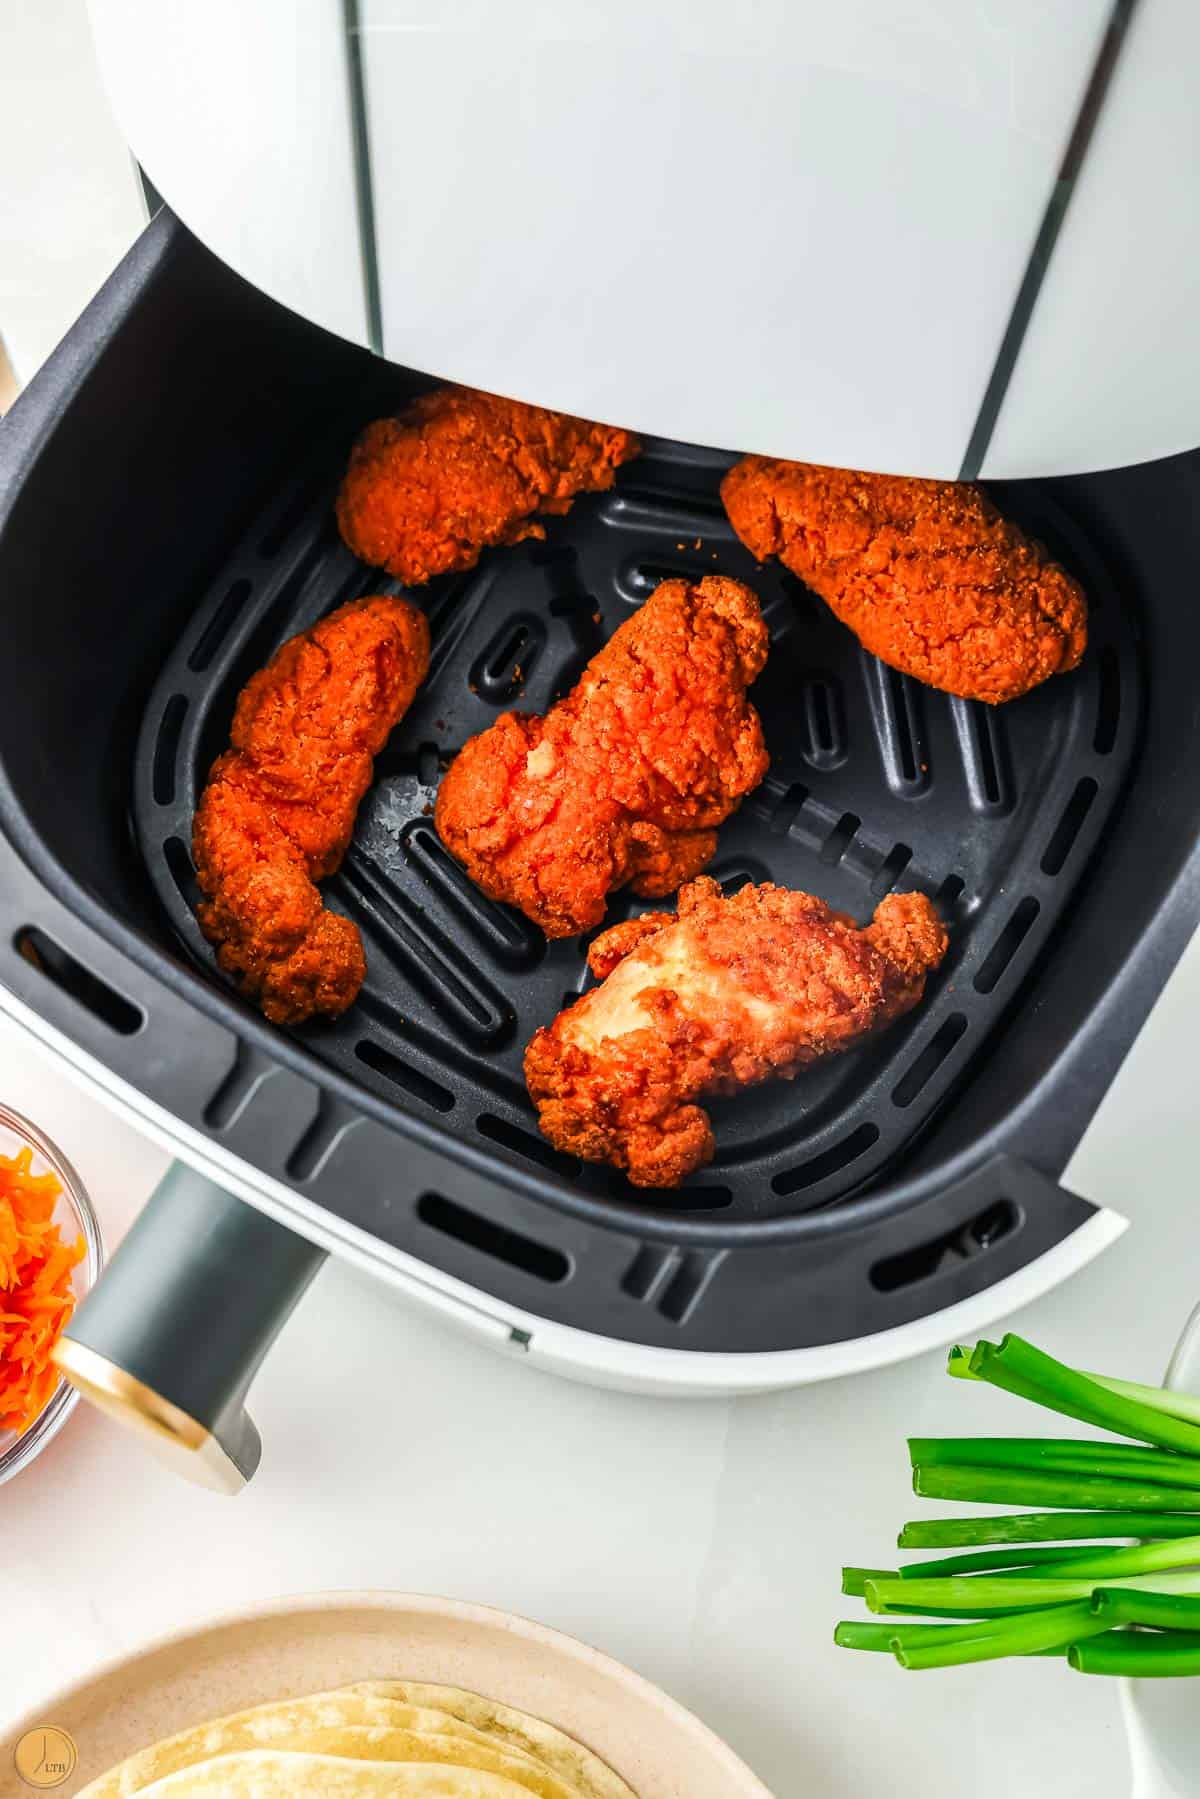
x: 699, y: 1541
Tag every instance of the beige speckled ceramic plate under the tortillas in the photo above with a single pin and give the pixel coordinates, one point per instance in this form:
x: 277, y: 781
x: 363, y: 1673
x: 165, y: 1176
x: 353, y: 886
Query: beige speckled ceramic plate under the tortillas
x: 319, y: 1642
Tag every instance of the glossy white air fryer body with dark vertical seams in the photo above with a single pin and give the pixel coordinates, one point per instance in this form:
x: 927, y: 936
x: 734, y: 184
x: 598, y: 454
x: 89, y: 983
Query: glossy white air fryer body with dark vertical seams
x: 803, y: 229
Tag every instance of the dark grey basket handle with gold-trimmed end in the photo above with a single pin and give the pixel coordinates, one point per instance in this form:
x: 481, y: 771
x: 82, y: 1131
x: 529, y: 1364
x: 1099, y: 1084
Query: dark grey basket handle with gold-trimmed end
x: 174, y: 1334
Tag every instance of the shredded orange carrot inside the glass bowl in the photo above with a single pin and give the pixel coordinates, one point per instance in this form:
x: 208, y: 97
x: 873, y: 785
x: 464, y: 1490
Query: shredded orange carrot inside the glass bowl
x: 35, y: 1289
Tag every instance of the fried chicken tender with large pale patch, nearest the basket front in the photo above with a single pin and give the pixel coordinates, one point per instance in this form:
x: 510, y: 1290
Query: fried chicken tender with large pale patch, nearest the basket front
x: 722, y: 996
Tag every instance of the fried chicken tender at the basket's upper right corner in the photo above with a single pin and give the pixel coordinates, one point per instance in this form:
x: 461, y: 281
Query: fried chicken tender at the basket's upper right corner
x: 926, y: 573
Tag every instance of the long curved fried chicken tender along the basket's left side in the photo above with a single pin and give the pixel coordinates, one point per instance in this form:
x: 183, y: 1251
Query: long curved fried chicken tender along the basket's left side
x: 280, y: 807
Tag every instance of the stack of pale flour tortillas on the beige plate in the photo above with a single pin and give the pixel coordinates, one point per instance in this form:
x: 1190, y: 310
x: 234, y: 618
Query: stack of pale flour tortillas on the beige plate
x: 381, y: 1737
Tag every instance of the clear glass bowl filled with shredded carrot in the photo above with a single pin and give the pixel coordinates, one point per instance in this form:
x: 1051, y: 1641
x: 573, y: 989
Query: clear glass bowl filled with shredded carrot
x: 51, y: 1255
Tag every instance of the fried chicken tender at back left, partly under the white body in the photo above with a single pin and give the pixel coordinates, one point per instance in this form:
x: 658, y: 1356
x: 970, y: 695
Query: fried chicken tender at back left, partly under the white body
x: 461, y: 470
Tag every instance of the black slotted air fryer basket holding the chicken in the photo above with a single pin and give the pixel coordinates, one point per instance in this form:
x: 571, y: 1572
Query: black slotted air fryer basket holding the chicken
x: 166, y: 523
